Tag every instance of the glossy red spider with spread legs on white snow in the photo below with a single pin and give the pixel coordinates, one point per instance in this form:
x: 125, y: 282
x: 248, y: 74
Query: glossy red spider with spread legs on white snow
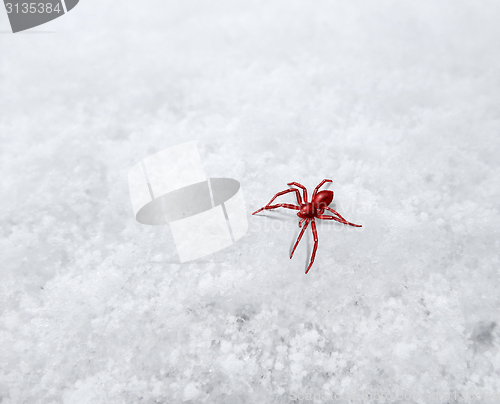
x: 308, y: 211
